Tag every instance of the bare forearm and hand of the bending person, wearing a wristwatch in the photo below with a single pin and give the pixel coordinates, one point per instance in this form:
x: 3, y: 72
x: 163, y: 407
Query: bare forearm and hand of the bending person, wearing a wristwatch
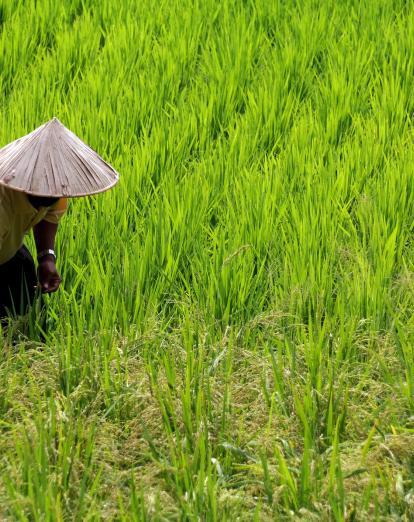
x: 44, y: 234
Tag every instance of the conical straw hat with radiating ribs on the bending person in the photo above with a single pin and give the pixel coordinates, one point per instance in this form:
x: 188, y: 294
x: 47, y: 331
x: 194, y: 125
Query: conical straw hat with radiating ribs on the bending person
x: 51, y: 161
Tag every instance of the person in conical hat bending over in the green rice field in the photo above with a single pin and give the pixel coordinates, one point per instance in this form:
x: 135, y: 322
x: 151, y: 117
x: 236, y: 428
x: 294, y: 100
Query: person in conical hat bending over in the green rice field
x: 37, y: 174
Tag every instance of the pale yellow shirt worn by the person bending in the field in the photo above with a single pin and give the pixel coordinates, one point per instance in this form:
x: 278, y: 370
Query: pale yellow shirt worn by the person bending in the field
x: 18, y: 216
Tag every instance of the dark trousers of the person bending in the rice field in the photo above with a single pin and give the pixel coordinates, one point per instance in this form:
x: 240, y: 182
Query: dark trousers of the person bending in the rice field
x: 18, y: 281
